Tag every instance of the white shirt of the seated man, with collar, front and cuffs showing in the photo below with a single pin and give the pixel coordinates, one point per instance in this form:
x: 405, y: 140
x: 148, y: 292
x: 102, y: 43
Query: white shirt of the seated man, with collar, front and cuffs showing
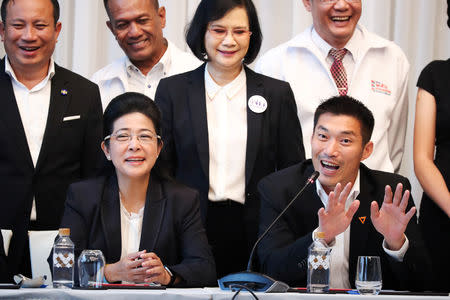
x: 340, y: 248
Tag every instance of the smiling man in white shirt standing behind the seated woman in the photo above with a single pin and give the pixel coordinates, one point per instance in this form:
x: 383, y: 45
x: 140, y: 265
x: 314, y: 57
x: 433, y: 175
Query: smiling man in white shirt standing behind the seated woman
x: 138, y: 26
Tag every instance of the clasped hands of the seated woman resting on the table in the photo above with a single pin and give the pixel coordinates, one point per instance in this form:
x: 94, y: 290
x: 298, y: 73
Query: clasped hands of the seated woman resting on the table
x: 138, y: 267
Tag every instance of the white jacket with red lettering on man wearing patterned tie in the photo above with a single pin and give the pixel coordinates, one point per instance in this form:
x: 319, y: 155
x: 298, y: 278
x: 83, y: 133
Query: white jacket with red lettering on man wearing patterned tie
x: 377, y: 72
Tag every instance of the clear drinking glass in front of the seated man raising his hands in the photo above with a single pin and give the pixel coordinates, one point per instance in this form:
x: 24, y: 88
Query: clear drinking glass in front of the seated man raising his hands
x: 368, y: 275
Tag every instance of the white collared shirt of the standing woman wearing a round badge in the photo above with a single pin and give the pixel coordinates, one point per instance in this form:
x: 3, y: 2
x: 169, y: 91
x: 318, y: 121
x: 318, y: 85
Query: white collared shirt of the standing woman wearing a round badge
x: 226, y: 110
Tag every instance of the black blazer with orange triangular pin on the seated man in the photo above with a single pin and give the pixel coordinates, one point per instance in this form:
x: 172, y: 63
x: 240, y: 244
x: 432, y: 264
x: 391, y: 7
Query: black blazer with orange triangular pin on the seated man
x: 283, y: 252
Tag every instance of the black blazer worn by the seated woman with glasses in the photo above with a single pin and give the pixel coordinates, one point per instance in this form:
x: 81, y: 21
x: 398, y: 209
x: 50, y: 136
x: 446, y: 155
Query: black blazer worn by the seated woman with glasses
x: 171, y: 226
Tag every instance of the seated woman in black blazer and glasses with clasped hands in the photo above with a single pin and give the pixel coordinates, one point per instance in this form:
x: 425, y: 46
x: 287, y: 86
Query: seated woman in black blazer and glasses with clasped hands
x: 148, y: 227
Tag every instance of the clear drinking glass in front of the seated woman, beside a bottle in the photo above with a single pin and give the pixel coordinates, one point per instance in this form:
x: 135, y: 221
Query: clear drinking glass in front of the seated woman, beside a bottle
x: 91, y: 264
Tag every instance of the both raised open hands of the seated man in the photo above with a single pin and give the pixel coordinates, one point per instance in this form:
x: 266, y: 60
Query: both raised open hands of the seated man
x: 390, y: 220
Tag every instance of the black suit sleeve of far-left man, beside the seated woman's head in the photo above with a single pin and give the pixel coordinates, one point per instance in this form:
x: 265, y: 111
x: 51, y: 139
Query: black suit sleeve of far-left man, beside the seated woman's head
x: 91, y: 156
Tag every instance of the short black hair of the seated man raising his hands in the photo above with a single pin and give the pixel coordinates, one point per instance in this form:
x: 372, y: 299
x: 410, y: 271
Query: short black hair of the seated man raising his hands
x: 348, y: 106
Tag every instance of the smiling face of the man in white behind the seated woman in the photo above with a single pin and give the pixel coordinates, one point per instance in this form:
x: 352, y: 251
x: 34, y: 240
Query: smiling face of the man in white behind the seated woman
x: 137, y: 26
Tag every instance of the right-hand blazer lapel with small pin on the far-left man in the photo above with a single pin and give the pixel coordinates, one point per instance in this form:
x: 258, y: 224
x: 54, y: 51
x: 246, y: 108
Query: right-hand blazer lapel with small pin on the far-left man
x: 59, y: 99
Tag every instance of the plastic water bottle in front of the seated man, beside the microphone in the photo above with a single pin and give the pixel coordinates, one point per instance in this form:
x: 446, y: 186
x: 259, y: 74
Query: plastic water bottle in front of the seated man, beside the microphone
x: 318, y: 265
